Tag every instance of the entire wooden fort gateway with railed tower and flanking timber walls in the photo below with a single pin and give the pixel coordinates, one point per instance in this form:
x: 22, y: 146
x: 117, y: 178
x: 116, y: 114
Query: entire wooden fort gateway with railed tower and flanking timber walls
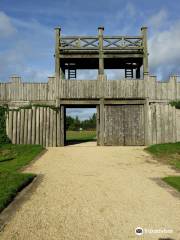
x: 131, y: 110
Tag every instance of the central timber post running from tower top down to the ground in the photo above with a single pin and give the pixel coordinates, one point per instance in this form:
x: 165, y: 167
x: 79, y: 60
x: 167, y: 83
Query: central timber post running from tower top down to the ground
x: 101, y: 84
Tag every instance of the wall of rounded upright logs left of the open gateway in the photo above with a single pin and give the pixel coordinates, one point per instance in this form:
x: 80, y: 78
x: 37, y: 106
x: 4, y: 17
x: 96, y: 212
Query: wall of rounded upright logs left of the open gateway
x: 37, y: 125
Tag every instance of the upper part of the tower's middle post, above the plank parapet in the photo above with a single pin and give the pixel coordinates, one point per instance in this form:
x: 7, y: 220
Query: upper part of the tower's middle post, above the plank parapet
x: 101, y: 58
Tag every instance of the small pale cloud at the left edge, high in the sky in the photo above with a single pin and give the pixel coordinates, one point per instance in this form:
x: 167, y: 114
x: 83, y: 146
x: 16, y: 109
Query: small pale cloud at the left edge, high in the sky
x: 6, y: 26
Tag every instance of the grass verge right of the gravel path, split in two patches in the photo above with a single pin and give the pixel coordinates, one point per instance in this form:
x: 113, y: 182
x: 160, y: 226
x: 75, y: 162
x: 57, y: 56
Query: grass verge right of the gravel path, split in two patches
x: 168, y: 153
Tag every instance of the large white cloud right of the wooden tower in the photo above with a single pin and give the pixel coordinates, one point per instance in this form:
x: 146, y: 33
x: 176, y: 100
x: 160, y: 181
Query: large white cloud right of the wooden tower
x: 164, y: 48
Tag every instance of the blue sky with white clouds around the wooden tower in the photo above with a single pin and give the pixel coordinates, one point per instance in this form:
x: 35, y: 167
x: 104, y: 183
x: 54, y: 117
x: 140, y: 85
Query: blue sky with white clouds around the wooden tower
x: 27, y: 32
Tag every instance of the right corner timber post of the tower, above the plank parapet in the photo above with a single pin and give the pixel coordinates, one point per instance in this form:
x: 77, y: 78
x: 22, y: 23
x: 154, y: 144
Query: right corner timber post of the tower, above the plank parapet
x: 145, y: 51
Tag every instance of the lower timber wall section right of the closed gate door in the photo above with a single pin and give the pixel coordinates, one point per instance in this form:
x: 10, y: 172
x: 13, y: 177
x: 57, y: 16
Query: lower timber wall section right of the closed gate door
x: 162, y: 119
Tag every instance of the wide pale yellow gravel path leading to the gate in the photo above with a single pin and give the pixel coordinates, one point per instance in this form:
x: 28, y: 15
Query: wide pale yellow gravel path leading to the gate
x: 96, y: 193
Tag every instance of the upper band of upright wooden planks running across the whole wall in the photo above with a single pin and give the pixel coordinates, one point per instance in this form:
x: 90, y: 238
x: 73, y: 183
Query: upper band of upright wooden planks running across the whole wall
x: 90, y: 89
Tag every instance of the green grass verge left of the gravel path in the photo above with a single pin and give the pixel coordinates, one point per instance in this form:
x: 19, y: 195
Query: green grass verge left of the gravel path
x: 12, y: 159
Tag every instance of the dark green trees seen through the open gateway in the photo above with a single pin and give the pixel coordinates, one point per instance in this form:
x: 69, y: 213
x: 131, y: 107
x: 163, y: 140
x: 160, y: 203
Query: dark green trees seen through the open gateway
x: 75, y: 124
